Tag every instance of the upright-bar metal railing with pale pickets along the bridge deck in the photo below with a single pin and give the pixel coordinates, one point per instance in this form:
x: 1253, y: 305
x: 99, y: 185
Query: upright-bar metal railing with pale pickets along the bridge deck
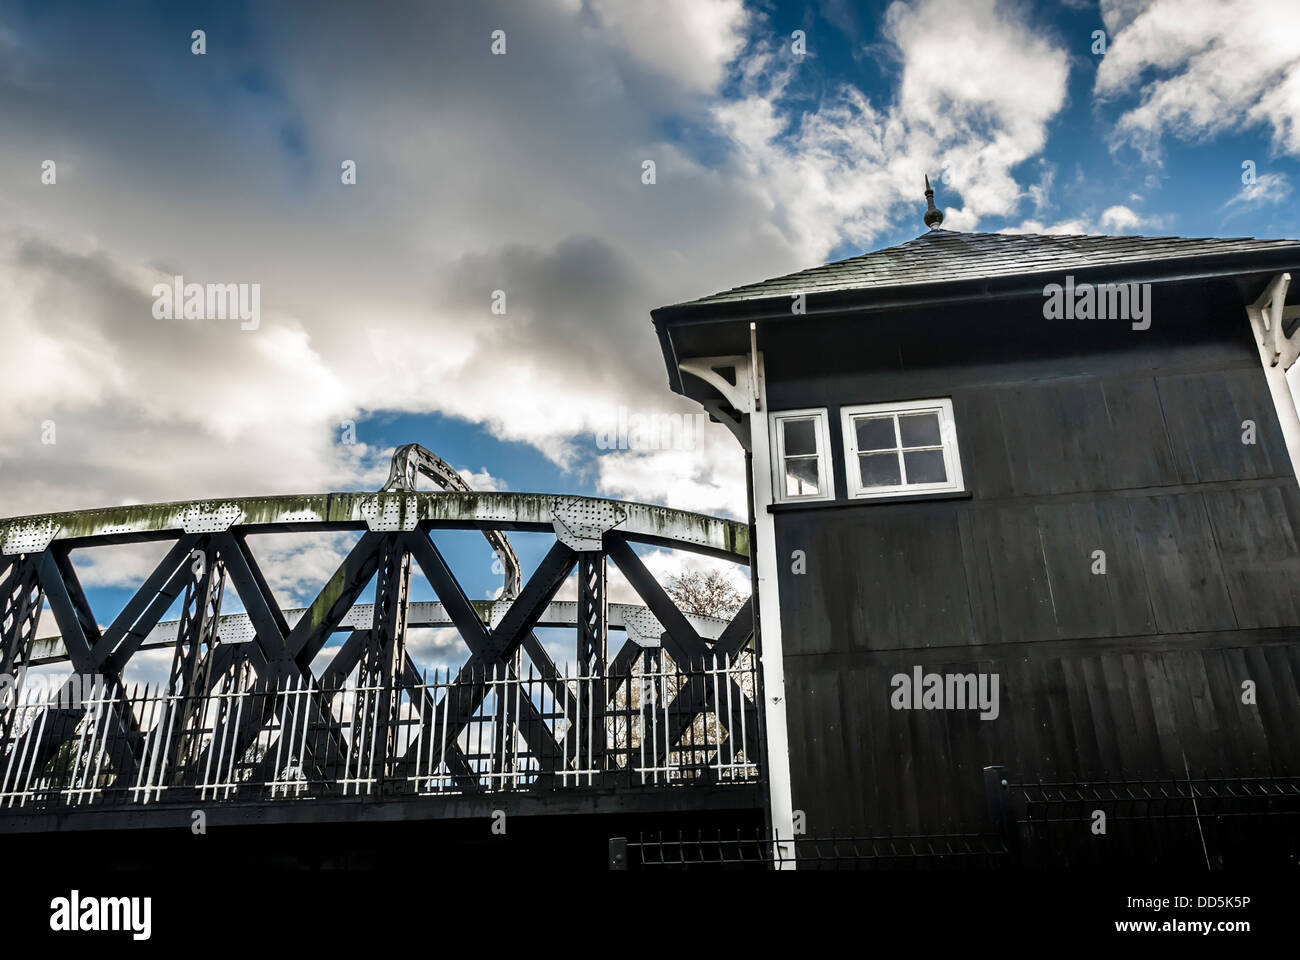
x: 497, y: 730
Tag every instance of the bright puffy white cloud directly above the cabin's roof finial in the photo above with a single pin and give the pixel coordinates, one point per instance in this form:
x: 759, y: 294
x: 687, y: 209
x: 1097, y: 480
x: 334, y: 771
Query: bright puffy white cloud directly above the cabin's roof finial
x: 969, y: 110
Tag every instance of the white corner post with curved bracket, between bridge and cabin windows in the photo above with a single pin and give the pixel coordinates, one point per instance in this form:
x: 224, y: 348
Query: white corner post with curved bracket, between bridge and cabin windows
x: 748, y: 396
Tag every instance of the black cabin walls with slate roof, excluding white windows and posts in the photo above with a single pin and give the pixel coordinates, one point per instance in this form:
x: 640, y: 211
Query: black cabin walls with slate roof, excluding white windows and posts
x: 1074, y: 436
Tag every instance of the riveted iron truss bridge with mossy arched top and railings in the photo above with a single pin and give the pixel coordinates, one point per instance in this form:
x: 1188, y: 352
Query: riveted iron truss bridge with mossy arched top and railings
x: 249, y: 723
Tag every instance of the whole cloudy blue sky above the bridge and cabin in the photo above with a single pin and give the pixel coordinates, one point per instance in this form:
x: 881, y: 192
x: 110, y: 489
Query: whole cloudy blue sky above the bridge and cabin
x: 484, y: 286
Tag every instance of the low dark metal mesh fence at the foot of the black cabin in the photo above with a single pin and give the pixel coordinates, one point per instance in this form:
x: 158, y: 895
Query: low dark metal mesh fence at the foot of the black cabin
x: 1199, y: 823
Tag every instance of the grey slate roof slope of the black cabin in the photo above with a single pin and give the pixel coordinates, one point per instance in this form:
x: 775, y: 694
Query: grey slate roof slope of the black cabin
x: 952, y: 256
